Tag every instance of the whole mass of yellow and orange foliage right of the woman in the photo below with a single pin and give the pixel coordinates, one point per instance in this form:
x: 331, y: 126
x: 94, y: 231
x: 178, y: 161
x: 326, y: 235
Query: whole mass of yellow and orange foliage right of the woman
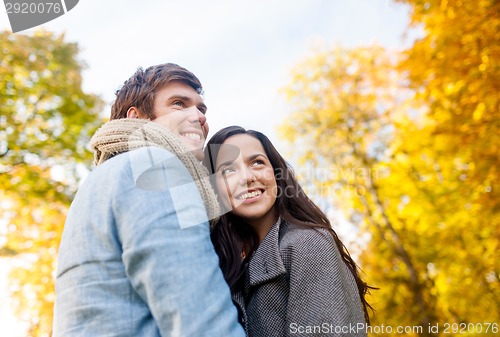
x: 410, y: 142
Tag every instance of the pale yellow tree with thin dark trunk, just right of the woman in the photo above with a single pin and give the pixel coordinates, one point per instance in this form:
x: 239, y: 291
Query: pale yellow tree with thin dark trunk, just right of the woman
x: 347, y: 104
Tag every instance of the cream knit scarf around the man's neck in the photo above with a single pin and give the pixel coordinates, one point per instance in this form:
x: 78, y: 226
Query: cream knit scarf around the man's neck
x: 123, y: 135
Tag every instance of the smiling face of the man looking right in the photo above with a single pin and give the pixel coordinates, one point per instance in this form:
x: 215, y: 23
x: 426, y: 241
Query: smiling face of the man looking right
x: 178, y: 107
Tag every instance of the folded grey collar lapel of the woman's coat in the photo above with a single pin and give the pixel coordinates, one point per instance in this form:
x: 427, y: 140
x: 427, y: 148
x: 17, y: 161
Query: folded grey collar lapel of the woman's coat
x: 266, y: 262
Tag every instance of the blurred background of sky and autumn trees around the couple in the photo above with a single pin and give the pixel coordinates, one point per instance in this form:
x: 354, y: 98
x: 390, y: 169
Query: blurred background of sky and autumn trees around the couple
x: 387, y: 110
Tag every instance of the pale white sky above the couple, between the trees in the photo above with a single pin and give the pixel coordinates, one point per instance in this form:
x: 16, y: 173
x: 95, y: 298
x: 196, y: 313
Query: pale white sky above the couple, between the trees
x: 241, y: 50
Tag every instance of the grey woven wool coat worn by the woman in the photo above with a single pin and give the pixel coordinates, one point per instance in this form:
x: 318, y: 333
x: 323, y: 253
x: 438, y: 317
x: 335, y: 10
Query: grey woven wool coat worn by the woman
x: 297, y: 284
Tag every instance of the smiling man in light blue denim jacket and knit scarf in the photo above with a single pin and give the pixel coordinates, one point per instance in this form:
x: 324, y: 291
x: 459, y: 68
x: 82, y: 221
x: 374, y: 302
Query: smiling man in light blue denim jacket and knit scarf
x: 135, y: 257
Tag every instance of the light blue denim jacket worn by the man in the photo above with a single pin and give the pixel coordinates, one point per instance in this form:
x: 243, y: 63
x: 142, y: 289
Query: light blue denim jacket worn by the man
x: 134, y: 259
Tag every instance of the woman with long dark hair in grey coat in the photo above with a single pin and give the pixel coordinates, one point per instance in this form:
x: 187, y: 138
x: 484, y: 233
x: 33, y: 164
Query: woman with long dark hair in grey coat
x: 288, y: 271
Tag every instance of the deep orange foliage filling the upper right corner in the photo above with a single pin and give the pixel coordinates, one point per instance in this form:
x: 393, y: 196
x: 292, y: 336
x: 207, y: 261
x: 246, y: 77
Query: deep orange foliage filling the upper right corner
x: 455, y: 71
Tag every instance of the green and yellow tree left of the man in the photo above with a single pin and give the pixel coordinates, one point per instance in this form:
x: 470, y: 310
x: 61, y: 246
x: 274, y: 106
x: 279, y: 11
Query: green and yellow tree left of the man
x: 45, y: 122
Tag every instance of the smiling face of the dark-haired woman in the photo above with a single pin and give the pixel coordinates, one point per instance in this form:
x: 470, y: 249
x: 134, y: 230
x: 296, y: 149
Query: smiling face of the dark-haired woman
x: 245, y: 179
